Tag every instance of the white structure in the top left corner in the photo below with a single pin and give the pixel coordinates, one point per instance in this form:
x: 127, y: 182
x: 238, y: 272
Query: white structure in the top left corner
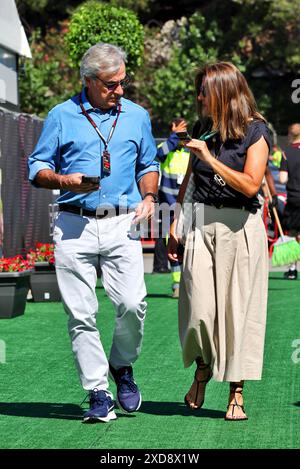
x: 13, y: 43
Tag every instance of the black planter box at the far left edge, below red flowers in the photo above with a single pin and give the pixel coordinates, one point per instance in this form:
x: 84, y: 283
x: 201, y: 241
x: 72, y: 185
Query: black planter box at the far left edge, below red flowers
x: 14, y: 288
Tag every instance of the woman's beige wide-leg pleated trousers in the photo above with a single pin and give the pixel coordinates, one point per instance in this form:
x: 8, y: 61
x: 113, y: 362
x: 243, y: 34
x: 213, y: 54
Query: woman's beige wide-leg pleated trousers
x: 223, y: 292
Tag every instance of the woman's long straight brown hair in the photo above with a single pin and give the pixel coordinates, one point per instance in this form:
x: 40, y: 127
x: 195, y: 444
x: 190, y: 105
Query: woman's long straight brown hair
x: 230, y: 102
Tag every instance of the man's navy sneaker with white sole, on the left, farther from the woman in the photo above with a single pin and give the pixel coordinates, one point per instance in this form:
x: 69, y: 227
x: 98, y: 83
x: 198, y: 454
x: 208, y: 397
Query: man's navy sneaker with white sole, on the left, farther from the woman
x: 101, y: 408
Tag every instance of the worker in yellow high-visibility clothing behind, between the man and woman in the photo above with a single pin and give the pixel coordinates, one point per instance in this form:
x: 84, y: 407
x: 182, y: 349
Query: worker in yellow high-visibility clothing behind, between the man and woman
x: 174, y: 160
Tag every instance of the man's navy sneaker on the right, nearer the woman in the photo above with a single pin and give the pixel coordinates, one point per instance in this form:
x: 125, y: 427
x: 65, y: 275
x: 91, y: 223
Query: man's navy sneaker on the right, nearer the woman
x: 129, y: 398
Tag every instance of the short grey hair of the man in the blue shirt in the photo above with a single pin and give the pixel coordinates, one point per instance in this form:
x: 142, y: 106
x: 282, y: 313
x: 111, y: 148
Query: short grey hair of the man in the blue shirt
x: 101, y: 57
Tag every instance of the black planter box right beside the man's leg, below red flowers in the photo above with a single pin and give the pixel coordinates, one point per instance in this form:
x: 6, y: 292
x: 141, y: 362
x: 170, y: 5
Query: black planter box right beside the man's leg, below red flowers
x: 43, y: 283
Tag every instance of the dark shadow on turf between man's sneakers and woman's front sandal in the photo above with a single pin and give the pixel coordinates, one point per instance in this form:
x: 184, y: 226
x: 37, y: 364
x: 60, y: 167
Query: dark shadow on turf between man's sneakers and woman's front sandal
x: 174, y: 408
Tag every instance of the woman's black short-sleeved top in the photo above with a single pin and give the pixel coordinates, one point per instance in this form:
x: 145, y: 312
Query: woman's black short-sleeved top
x: 233, y: 154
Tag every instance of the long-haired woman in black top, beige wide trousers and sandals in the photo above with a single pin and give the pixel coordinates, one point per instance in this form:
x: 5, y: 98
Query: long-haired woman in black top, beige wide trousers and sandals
x: 223, y: 290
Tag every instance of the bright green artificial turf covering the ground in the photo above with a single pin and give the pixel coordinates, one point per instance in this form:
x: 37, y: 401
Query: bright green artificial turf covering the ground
x: 40, y: 392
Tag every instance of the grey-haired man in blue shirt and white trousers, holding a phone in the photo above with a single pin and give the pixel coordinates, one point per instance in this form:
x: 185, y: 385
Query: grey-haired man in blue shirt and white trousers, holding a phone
x: 98, y: 149
